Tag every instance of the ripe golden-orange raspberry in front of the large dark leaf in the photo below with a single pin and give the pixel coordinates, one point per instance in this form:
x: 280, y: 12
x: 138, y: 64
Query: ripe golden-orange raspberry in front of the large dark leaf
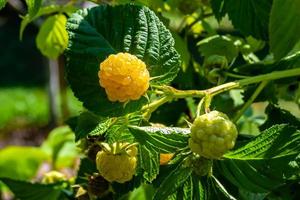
x: 124, y: 77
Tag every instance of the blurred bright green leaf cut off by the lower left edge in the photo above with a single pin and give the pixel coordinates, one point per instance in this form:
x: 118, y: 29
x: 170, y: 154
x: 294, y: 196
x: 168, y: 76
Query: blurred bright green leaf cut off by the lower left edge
x: 21, y: 162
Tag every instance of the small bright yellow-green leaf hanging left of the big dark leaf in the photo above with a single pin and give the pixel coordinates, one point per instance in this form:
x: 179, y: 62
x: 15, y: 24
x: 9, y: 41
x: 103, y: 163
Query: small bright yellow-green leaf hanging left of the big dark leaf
x: 52, y: 38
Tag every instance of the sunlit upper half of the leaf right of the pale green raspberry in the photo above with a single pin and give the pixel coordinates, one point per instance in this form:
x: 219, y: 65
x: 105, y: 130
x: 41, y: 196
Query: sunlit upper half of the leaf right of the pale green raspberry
x: 274, y: 142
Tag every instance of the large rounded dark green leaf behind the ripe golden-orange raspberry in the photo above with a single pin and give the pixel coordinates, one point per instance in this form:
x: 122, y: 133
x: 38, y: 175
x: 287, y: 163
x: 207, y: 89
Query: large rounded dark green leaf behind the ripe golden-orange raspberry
x: 100, y: 31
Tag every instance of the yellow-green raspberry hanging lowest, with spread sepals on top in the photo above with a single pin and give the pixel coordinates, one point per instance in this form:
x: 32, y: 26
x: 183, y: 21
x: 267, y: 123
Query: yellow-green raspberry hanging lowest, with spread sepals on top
x: 117, y: 162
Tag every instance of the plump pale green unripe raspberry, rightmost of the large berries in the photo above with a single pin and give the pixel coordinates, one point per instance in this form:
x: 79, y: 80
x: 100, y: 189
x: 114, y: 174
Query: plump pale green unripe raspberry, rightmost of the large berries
x: 212, y: 135
